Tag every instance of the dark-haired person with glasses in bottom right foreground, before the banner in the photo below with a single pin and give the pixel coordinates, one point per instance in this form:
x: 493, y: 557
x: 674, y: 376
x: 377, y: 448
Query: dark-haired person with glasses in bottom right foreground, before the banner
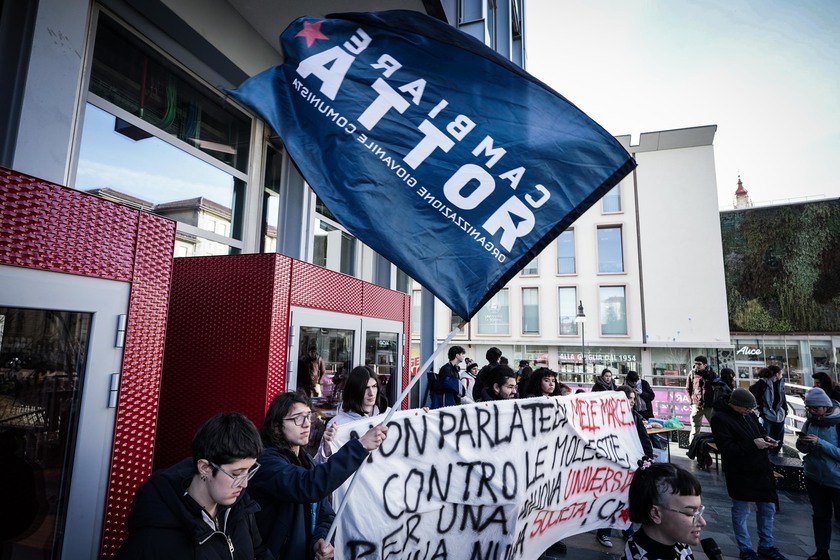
x: 665, y: 499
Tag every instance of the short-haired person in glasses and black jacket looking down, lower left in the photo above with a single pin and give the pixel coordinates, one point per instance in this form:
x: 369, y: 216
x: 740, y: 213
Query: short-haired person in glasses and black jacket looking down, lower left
x: 199, y: 507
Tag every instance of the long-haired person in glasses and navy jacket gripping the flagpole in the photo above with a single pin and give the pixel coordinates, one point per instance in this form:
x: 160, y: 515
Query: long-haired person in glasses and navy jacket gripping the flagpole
x: 292, y: 491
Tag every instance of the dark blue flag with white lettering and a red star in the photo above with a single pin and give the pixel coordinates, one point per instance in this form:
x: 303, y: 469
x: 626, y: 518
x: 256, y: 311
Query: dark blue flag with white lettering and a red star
x: 434, y: 150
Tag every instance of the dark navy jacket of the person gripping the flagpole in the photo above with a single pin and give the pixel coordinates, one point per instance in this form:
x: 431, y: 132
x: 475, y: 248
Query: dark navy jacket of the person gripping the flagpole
x: 287, y: 486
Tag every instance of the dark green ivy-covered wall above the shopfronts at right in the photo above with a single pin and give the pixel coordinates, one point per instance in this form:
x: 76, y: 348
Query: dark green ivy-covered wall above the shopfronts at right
x: 782, y: 267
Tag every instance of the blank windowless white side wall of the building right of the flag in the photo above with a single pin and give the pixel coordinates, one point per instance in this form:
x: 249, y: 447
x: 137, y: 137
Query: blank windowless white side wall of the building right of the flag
x: 682, y: 254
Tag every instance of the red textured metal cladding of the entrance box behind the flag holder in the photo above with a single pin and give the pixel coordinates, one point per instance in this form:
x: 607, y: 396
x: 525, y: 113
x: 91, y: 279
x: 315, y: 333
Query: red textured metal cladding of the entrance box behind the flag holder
x: 228, y: 335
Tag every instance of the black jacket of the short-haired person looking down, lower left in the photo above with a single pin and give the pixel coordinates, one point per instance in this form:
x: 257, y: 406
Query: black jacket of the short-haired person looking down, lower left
x: 166, y: 523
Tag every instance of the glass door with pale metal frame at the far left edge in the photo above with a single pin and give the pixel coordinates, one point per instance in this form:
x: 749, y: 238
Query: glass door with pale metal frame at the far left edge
x: 57, y: 355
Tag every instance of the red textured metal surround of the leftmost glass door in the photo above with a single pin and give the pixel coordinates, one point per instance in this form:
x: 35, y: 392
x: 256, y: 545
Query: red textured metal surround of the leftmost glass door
x: 50, y: 227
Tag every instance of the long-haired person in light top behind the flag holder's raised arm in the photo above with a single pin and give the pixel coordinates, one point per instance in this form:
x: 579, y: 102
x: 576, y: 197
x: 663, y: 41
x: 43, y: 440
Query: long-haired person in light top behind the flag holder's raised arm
x: 359, y: 398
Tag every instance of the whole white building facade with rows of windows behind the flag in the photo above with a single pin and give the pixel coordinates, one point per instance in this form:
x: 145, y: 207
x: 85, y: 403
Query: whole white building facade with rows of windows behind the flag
x: 645, y: 264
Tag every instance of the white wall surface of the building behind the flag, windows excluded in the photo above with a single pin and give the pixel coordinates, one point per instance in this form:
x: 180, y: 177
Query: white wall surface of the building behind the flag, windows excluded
x: 670, y: 223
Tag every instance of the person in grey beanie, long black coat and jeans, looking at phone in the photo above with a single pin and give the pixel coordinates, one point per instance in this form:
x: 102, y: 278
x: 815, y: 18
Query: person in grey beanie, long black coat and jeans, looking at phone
x: 743, y: 445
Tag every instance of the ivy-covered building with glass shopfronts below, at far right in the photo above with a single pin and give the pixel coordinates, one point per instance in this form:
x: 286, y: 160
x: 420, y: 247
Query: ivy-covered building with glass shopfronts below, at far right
x: 783, y: 288
